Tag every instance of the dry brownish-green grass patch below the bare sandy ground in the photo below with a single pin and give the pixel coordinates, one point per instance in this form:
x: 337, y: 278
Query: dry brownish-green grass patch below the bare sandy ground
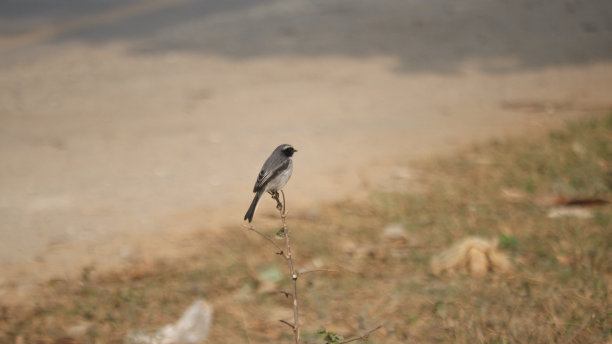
x: 558, y: 290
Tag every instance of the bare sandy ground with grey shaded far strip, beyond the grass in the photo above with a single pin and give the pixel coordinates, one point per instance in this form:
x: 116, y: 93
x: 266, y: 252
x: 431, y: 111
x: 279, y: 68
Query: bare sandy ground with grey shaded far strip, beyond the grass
x: 125, y: 127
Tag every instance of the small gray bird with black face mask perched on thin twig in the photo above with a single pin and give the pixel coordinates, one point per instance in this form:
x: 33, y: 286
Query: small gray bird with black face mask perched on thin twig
x: 274, y: 174
